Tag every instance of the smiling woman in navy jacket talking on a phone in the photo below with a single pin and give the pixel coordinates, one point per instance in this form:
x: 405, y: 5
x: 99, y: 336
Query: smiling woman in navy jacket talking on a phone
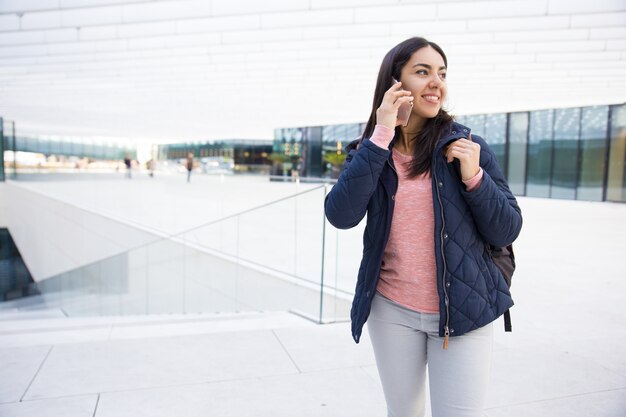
x: 435, y: 200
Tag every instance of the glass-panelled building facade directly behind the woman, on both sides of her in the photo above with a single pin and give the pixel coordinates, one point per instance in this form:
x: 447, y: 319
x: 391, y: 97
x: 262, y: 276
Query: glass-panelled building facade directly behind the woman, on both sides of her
x: 574, y: 153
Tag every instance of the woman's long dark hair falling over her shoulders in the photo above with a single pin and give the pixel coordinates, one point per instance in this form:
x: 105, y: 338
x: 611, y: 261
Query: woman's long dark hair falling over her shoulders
x: 434, y: 128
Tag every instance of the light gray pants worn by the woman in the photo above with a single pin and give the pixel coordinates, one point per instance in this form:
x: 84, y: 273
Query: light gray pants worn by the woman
x: 406, y: 341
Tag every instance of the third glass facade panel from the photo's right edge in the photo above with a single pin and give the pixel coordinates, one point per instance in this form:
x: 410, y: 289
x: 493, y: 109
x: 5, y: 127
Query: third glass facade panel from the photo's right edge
x: 566, y: 143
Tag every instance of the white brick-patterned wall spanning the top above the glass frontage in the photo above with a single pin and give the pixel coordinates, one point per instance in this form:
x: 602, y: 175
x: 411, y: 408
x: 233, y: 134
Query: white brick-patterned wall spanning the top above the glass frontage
x: 193, y: 46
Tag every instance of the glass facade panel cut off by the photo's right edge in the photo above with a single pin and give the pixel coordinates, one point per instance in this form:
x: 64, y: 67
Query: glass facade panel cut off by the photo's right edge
x: 616, y: 182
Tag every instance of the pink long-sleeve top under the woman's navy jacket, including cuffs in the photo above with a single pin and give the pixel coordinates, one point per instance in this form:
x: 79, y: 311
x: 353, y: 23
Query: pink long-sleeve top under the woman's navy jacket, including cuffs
x: 408, y: 274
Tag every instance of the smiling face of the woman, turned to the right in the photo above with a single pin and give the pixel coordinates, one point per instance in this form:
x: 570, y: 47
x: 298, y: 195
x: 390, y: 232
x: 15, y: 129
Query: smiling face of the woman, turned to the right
x: 424, y: 75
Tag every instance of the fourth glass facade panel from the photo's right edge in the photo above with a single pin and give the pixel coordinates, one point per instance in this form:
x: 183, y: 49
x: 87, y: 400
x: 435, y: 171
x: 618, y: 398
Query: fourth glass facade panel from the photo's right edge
x: 539, y: 153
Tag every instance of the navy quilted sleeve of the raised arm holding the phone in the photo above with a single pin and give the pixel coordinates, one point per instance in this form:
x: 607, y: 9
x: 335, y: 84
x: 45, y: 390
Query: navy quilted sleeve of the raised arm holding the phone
x: 346, y: 203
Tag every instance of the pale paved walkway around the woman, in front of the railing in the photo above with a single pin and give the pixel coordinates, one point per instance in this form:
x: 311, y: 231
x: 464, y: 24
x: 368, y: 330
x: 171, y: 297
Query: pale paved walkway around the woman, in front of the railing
x: 564, y: 358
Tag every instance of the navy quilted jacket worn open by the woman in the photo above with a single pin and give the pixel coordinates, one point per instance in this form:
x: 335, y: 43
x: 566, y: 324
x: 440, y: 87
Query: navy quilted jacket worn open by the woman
x: 472, y: 291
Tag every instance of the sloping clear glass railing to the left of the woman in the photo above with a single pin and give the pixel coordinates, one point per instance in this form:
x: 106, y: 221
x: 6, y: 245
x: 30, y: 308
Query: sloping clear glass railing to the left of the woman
x: 281, y: 256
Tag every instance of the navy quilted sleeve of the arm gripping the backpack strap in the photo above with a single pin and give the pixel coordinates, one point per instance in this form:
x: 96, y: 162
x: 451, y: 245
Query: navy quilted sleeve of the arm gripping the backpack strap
x: 494, y: 208
